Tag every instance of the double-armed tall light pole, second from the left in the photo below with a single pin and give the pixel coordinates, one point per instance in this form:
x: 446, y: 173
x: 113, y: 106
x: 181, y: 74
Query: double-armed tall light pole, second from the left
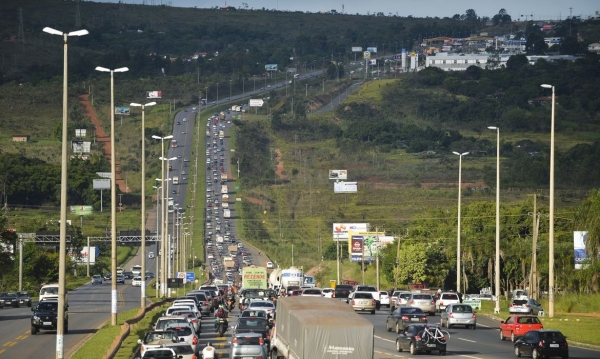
x: 113, y: 193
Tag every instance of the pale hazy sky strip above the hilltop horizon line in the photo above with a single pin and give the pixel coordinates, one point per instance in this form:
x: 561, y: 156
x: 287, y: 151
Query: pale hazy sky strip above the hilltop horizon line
x: 540, y: 9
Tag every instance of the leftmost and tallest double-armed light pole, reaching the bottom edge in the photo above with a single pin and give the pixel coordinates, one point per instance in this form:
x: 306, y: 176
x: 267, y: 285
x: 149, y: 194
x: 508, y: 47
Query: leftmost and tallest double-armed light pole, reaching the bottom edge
x: 63, y: 195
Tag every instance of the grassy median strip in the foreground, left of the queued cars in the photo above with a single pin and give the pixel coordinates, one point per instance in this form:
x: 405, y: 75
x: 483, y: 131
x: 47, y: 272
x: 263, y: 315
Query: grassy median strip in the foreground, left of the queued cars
x: 99, y: 343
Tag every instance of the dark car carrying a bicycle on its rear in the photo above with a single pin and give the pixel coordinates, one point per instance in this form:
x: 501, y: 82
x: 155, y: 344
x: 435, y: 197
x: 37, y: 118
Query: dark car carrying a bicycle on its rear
x: 421, y: 338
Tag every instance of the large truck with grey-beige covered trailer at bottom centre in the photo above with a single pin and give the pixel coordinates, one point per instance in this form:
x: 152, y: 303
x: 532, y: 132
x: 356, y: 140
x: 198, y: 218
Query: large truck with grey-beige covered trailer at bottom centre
x: 320, y: 328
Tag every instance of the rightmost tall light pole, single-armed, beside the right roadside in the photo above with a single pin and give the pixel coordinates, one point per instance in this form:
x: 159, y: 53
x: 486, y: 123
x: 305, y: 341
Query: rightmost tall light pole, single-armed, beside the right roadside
x: 551, y: 215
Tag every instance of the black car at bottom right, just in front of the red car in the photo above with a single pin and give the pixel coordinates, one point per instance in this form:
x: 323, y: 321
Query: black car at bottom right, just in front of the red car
x: 542, y: 344
